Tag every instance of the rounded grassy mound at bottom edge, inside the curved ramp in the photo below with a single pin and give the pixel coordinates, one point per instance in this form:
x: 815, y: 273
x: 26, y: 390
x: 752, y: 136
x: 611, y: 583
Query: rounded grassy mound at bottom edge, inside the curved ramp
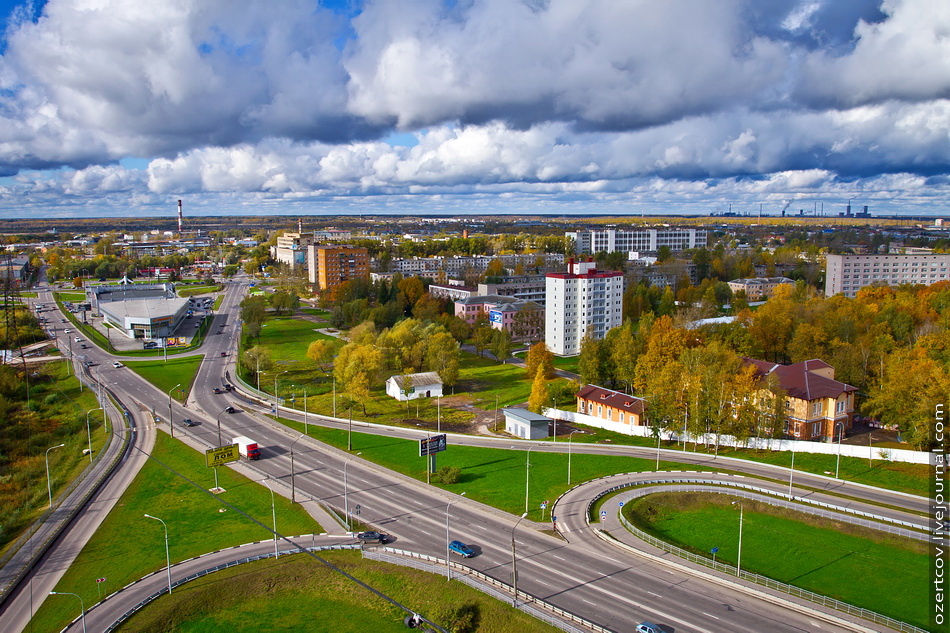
x: 300, y: 594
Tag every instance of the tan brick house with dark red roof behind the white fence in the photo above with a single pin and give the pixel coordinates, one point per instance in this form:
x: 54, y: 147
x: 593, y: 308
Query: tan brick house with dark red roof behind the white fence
x: 817, y: 407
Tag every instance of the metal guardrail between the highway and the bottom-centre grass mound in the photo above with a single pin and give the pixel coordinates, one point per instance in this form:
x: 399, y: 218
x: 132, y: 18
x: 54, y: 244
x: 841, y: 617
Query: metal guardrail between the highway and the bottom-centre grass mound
x: 525, y: 602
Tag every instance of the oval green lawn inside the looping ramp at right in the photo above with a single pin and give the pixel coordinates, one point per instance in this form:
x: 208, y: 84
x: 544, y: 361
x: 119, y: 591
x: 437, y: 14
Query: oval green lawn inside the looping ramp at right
x: 863, y: 567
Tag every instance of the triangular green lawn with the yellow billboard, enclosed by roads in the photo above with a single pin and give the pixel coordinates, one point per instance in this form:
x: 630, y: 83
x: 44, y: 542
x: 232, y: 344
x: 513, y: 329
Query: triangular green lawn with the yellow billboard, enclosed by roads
x: 127, y: 545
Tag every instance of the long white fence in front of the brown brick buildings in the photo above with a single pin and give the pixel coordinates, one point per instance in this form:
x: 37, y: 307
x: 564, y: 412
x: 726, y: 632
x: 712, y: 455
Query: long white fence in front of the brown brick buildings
x: 847, y: 450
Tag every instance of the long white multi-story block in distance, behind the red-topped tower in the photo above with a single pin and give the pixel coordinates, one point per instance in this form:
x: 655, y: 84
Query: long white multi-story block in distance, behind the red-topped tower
x: 637, y: 240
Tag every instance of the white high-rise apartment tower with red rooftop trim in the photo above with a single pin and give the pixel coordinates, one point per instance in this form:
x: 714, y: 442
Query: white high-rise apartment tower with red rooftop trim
x: 581, y: 301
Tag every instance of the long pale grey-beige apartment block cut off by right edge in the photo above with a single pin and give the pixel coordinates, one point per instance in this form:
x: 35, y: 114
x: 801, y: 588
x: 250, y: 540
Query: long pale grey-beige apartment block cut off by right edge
x: 846, y: 274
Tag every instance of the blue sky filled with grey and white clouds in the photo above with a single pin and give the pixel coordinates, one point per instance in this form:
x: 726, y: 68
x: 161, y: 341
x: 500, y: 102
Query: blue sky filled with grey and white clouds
x: 118, y: 108
